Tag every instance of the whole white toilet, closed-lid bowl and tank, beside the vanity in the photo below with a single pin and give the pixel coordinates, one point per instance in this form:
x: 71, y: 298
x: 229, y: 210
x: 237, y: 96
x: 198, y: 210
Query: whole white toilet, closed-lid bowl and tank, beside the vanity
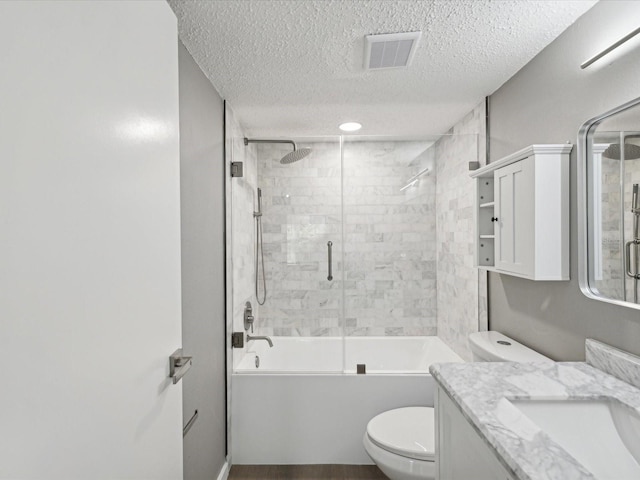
x: 402, y: 441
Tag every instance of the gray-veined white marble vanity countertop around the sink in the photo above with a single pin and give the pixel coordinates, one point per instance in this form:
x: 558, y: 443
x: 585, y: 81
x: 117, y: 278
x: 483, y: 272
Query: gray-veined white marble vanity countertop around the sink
x: 482, y: 392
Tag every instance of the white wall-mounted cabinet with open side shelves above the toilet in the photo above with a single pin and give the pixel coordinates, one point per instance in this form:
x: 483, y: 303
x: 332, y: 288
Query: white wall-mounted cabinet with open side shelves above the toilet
x: 522, y: 213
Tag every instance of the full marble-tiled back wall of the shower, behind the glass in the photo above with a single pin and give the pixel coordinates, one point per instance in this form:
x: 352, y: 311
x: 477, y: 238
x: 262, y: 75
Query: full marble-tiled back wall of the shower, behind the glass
x: 389, y: 240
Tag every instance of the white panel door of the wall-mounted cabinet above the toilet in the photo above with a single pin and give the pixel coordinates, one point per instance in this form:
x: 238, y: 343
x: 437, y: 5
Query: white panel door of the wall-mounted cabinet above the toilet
x: 514, y: 210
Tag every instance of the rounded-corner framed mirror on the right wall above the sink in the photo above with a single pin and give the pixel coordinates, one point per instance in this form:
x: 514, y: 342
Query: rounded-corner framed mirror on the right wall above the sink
x: 609, y: 206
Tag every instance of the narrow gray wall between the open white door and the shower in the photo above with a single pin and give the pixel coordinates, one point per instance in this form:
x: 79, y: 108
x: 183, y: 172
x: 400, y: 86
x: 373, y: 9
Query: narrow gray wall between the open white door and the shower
x: 203, y: 263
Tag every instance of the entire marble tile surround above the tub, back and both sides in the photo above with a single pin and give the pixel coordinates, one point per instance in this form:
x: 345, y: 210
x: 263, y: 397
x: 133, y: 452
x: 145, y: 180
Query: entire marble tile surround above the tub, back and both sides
x: 399, y: 215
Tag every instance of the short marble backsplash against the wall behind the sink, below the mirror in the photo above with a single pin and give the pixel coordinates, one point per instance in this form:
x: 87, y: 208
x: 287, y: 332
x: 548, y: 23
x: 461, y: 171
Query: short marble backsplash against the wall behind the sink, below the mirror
x: 613, y: 361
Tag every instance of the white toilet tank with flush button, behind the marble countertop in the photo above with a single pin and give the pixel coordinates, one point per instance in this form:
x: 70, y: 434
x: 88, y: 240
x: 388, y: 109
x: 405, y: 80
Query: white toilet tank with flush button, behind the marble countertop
x: 496, y: 347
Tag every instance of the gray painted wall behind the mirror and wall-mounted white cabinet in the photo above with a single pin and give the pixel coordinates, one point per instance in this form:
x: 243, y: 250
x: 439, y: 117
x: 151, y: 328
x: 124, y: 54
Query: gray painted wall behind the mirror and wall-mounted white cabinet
x: 546, y: 102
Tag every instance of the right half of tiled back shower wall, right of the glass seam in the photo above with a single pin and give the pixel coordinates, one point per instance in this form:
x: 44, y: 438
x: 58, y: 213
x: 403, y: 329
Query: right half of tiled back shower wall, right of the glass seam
x: 390, y: 238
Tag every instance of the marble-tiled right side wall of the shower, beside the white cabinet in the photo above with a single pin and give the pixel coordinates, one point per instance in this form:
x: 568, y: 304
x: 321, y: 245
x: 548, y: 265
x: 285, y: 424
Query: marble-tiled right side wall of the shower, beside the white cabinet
x: 462, y: 298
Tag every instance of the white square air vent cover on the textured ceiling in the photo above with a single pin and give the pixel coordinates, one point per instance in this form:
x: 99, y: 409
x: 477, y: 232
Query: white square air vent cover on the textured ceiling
x: 391, y: 50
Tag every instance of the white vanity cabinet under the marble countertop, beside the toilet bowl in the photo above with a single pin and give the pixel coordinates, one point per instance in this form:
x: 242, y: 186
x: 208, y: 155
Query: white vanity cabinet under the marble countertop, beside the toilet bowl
x: 461, y: 454
